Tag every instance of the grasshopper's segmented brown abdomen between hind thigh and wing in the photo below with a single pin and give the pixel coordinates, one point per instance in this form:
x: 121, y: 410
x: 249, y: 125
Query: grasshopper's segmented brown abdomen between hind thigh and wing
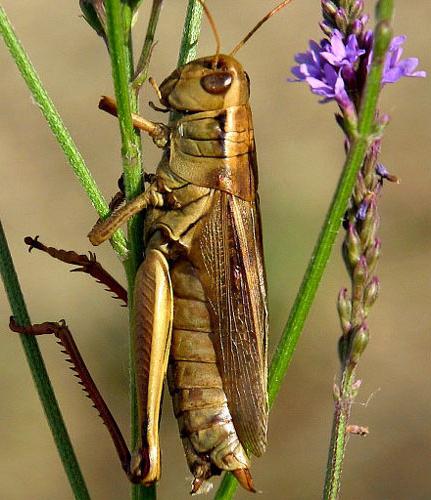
x: 205, y: 423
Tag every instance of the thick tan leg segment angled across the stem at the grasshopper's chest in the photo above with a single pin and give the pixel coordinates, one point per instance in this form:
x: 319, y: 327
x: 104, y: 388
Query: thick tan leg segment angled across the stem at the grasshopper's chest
x: 104, y: 229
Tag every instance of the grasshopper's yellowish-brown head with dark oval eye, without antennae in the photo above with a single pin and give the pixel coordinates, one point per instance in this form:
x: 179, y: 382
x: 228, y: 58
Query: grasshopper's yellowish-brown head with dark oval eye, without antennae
x: 206, y: 84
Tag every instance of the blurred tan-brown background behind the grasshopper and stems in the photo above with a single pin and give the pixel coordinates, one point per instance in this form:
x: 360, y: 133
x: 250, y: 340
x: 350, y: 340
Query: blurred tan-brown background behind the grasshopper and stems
x: 300, y: 156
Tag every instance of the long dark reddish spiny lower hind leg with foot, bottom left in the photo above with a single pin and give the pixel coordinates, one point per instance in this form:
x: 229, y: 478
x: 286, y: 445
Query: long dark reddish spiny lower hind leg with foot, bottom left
x: 65, y: 339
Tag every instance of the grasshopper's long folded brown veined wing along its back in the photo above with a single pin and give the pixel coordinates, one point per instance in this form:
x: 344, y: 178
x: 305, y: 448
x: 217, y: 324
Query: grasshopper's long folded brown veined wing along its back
x: 232, y: 273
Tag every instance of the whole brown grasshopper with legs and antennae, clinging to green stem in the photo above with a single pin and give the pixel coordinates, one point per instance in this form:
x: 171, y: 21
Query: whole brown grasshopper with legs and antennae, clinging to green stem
x: 200, y: 309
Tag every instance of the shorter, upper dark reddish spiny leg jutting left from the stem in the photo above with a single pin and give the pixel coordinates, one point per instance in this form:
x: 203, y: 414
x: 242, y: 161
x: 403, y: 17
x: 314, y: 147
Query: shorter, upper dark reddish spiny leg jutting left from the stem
x: 86, y: 264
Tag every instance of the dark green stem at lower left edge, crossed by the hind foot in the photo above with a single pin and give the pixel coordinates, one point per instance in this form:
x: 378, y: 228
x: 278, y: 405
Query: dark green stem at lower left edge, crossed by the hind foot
x: 39, y: 374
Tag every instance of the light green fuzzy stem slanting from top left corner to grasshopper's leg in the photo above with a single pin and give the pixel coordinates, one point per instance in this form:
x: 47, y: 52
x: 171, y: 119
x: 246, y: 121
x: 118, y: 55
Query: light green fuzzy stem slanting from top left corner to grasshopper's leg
x: 57, y: 126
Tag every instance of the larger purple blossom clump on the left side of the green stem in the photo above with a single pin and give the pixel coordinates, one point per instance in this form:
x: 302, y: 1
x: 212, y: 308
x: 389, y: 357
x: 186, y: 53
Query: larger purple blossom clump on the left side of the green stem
x: 323, y: 67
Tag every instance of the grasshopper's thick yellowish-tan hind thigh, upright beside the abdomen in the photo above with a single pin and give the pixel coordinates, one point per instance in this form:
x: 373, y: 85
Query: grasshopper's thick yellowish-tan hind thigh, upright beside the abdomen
x: 153, y: 312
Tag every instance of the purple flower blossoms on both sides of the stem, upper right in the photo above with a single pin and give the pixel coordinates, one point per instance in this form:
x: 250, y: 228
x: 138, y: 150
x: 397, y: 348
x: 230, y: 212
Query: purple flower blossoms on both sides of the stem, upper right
x: 329, y: 68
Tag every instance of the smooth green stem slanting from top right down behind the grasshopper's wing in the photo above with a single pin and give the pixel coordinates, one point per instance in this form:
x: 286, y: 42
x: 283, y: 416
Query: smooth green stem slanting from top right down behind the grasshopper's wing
x: 322, y: 250
